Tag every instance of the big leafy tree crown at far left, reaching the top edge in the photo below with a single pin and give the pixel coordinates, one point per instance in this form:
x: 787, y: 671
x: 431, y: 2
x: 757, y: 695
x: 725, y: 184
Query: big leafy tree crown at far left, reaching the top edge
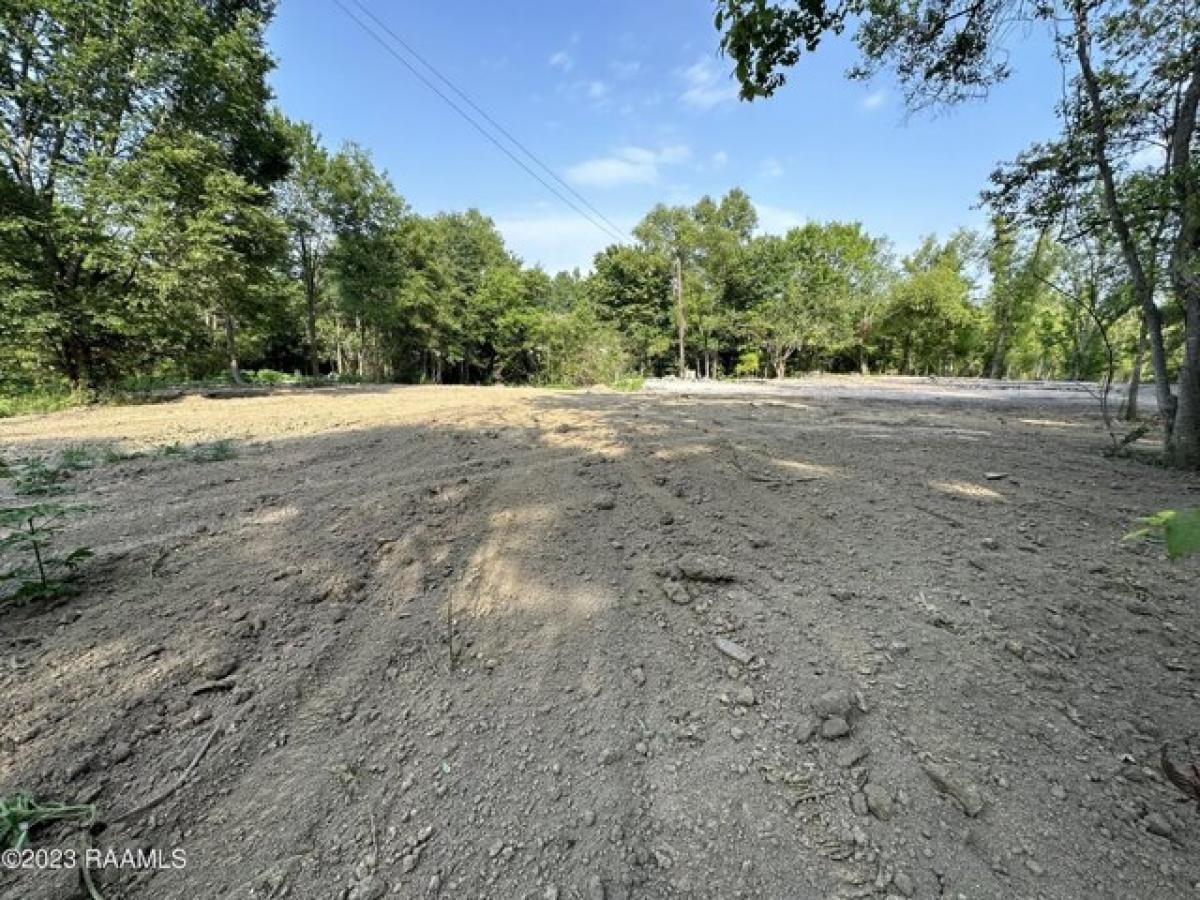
x: 98, y: 104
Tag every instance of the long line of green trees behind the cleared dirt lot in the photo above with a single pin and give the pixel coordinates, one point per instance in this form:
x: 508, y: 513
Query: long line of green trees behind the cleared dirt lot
x: 164, y: 221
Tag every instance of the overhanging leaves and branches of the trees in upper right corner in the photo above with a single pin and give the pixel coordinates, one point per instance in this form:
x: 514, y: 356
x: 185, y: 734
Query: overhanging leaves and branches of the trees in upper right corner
x: 1124, y: 170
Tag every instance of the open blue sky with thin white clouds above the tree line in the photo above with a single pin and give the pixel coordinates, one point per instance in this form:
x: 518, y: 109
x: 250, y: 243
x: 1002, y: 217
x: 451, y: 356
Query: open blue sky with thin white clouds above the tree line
x: 631, y: 103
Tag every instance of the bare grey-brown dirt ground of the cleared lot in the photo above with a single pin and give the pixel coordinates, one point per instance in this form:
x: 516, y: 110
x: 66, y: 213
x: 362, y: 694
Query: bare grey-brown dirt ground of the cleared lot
x: 748, y: 644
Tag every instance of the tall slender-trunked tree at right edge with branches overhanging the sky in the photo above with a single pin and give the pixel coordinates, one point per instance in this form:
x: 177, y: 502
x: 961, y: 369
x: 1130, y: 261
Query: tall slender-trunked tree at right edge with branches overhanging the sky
x: 1132, y: 89
